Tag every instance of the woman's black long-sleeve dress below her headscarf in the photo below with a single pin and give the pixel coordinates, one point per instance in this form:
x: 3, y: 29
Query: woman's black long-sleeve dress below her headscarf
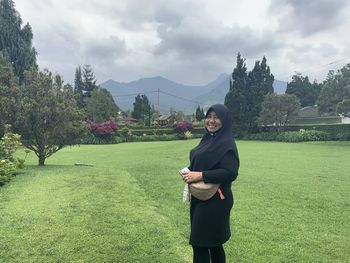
x: 210, y: 220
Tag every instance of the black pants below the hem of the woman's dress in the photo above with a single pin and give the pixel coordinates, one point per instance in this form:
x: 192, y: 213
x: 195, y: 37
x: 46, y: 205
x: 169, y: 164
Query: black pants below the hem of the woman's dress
x: 209, y: 254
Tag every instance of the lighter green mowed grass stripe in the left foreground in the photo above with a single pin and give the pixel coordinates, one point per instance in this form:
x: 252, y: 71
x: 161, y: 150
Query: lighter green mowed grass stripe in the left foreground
x: 71, y: 214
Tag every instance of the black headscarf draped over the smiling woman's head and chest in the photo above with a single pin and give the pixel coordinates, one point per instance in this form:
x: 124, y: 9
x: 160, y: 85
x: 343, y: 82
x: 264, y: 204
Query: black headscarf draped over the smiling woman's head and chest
x: 214, y: 146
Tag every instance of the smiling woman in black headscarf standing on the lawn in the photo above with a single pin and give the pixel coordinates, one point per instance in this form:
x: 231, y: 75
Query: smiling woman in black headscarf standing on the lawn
x: 214, y: 160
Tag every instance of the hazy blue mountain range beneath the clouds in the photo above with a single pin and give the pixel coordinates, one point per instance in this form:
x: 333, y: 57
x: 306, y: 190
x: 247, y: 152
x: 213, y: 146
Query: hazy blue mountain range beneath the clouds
x: 168, y: 95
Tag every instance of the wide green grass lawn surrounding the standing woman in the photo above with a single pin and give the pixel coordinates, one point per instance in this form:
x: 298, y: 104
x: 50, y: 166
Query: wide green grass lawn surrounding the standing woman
x: 292, y: 204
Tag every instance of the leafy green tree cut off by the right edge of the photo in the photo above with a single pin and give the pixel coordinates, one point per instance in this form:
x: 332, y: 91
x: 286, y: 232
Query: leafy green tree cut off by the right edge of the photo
x: 335, y: 91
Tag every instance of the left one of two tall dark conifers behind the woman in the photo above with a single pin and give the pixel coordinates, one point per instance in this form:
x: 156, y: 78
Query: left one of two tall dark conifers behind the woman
x: 235, y: 99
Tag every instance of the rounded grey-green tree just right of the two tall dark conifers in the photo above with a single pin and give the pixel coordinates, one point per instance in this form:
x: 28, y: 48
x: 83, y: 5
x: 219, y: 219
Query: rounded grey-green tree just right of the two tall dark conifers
x: 279, y: 109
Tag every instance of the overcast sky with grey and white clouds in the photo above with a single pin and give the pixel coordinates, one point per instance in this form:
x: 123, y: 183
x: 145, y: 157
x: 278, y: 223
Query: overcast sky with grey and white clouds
x: 188, y: 41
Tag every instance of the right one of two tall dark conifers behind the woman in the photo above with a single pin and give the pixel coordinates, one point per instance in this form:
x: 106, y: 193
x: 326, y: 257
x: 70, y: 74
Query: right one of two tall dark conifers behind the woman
x: 260, y: 83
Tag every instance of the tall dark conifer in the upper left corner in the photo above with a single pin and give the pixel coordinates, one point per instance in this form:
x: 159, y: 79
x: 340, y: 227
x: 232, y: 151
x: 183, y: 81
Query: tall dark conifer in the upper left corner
x: 15, y: 40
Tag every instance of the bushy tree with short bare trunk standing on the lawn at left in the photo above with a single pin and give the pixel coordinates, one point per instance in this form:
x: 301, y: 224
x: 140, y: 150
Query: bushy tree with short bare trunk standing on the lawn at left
x: 49, y: 117
